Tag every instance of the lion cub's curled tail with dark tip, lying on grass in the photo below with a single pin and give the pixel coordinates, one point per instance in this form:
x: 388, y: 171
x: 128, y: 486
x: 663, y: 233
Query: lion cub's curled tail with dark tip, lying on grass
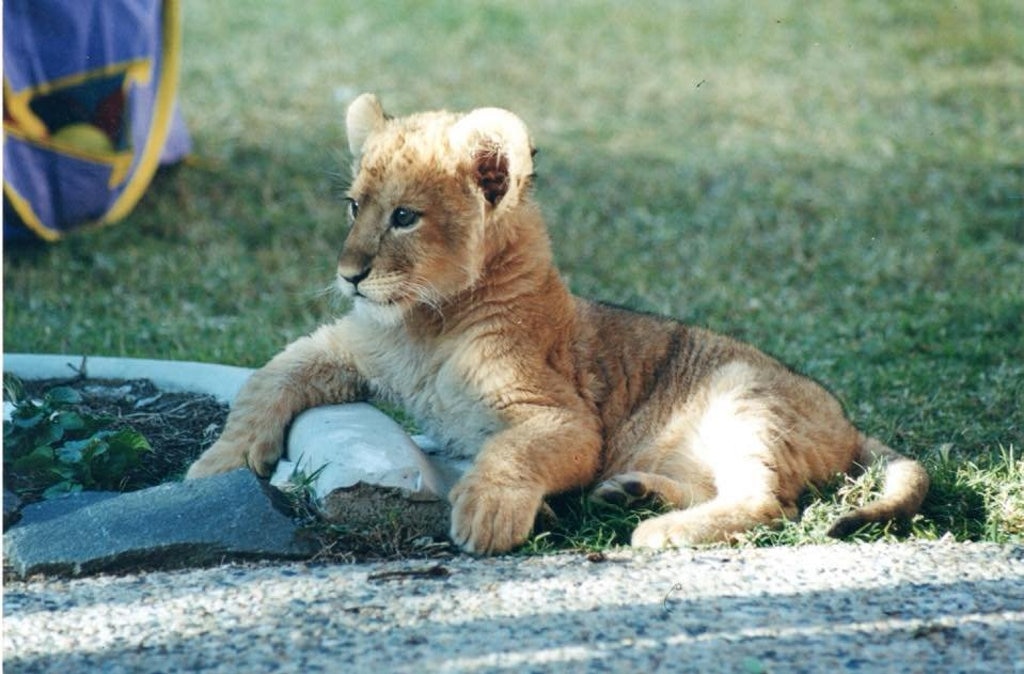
x: 905, y: 490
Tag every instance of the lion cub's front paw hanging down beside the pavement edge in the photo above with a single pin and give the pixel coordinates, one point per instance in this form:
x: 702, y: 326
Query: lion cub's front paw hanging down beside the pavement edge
x: 489, y: 519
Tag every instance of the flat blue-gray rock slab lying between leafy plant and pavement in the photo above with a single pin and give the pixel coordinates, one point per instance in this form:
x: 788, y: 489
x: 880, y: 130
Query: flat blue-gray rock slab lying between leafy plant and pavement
x: 174, y: 526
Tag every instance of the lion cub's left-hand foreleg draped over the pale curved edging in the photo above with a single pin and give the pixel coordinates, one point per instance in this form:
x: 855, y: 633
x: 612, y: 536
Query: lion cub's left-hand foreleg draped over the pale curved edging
x: 313, y: 371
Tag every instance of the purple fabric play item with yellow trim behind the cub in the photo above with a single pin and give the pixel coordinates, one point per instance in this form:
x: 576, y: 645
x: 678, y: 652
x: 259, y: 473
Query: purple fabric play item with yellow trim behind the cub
x: 89, y: 111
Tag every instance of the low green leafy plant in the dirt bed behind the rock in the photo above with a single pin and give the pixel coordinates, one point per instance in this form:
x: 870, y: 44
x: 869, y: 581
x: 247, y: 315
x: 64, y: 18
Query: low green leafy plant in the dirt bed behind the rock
x: 51, y: 449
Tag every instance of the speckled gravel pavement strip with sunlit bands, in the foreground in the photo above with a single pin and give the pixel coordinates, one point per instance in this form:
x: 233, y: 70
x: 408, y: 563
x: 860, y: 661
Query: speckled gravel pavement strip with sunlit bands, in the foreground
x: 907, y: 608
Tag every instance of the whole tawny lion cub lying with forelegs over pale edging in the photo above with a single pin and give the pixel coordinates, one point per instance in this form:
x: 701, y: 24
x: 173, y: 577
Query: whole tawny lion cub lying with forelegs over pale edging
x: 460, y: 317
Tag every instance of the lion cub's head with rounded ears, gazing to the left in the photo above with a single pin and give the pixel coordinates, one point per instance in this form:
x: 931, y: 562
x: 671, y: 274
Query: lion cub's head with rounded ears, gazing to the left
x: 430, y: 197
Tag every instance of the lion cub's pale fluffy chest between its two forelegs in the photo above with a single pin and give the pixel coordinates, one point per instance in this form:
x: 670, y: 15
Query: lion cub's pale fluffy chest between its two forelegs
x: 442, y: 387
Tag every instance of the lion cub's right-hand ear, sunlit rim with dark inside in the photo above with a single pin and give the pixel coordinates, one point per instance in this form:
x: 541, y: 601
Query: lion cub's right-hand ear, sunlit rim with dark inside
x: 501, y: 154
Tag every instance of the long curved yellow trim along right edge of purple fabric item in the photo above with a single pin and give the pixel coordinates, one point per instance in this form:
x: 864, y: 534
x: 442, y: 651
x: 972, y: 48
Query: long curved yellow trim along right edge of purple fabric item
x: 163, y: 109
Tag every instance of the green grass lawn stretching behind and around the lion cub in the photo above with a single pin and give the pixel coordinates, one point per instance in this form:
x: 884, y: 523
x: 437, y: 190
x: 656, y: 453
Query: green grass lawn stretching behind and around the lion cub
x: 840, y: 184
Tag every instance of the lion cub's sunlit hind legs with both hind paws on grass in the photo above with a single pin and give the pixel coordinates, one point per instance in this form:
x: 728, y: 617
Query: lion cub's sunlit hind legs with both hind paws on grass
x: 729, y: 446
